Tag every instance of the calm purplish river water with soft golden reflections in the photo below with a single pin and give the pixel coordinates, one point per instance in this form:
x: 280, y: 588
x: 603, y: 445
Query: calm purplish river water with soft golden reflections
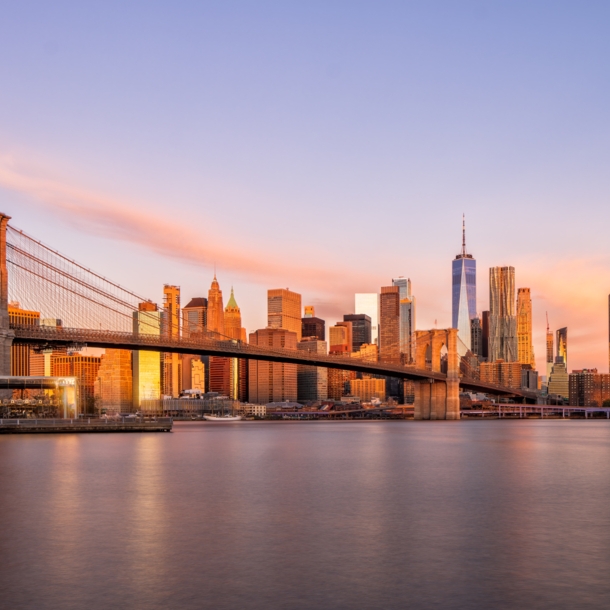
x: 309, y: 515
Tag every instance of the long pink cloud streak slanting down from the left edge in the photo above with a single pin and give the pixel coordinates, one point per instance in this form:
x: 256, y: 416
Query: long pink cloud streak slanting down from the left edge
x: 125, y: 221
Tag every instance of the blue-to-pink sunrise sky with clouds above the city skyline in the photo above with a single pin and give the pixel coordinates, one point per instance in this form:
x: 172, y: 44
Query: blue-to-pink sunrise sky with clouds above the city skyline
x: 322, y: 146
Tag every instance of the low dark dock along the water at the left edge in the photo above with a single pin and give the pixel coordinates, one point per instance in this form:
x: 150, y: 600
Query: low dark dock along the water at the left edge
x: 85, y: 424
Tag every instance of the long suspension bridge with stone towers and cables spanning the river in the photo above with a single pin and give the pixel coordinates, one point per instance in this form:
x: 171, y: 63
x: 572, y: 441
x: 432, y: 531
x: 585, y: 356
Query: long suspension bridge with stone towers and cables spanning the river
x: 97, y: 312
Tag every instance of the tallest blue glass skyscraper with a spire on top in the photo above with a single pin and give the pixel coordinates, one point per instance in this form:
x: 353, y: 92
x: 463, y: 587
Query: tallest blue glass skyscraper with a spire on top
x: 464, y: 294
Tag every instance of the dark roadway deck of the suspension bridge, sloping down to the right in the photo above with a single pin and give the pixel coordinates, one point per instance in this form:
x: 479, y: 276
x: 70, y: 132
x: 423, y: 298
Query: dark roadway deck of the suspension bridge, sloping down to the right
x: 50, y: 336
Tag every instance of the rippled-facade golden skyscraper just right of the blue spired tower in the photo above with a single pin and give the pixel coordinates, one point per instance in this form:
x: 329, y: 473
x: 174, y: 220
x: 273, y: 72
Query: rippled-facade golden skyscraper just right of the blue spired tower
x: 502, y: 319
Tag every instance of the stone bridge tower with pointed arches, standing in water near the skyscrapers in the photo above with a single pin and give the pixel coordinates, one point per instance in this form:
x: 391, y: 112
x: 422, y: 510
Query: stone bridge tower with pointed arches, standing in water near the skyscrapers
x: 436, y: 399
